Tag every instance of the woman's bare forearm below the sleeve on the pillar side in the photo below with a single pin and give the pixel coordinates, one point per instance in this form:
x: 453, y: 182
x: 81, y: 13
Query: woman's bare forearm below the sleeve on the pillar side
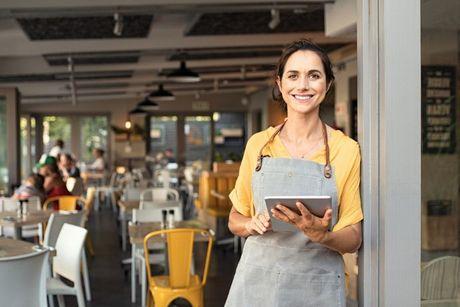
x: 346, y: 240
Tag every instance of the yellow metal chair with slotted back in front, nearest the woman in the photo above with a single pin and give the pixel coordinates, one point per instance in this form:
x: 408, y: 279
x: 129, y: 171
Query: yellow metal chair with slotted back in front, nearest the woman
x: 180, y: 282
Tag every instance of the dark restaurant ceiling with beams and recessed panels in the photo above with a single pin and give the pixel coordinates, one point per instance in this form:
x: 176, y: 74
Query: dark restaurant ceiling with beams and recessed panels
x: 228, y: 42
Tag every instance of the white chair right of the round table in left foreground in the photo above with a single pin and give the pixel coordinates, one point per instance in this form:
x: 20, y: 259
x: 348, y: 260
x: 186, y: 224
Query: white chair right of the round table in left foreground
x: 67, y: 263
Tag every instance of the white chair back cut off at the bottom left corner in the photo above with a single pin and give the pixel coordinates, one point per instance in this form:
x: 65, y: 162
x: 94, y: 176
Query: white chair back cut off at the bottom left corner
x: 23, y: 279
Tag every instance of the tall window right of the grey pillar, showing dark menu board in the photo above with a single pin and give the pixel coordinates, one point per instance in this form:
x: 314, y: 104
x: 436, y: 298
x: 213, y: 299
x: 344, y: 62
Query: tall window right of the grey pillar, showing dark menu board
x: 440, y: 49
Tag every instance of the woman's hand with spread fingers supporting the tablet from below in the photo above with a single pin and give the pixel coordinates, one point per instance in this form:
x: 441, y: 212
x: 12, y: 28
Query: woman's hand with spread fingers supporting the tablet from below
x: 313, y: 227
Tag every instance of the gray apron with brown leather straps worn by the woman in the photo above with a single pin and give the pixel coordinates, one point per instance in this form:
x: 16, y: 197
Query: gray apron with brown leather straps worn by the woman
x: 286, y: 268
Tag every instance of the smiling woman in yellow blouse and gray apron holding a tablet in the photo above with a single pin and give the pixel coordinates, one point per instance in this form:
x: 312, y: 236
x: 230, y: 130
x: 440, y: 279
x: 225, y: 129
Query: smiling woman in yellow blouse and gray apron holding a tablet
x: 302, y: 156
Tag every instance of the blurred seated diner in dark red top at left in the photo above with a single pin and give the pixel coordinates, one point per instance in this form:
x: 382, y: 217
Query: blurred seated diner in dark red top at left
x: 53, y: 184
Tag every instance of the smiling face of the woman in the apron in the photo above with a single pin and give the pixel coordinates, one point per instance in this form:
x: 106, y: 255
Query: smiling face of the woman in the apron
x: 303, y: 84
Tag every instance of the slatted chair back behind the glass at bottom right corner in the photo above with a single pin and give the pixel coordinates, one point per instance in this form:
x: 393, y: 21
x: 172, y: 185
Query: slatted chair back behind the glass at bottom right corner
x: 440, y: 282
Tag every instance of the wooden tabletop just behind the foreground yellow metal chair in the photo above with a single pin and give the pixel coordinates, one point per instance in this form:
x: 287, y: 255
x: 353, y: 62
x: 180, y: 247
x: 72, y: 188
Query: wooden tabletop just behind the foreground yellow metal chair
x: 137, y: 232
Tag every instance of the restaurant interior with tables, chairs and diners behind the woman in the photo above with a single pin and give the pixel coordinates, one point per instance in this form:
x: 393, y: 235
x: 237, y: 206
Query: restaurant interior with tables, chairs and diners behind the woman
x: 136, y: 114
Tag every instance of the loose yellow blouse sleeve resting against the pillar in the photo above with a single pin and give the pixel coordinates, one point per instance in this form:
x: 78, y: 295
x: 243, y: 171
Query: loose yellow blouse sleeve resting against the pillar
x: 350, y: 211
